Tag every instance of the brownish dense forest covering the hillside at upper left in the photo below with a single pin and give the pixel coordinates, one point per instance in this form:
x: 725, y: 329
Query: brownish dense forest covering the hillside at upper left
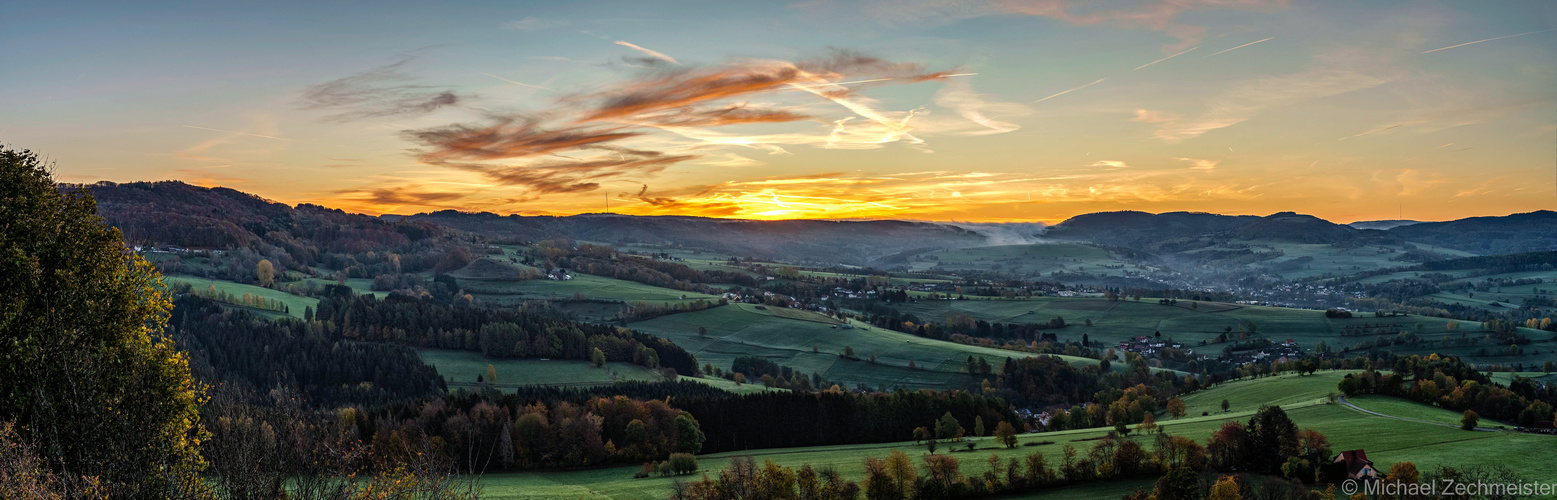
x: 225, y: 233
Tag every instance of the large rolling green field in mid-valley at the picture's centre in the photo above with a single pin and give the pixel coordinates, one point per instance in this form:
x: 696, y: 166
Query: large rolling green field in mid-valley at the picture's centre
x: 812, y: 343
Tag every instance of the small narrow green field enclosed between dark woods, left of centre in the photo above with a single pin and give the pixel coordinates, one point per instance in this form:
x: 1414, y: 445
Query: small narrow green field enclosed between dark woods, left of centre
x: 460, y: 368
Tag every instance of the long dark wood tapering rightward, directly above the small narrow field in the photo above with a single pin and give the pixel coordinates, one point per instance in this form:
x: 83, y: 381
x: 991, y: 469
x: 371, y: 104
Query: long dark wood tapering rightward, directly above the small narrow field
x: 494, y: 333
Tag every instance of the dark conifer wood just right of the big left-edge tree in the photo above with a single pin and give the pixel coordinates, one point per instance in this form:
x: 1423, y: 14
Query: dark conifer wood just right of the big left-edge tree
x: 239, y: 348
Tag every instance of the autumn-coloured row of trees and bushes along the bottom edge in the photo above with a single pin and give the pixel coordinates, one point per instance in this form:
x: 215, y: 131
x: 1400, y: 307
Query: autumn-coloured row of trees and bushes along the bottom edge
x: 1271, y: 446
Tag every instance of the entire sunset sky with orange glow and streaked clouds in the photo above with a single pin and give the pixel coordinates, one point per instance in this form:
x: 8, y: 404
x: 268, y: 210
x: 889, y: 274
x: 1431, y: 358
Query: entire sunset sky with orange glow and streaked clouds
x: 916, y: 110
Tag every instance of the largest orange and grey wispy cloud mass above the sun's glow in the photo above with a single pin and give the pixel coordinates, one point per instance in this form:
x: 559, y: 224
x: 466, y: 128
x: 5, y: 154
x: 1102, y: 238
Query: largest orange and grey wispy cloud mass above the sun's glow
x: 666, y: 116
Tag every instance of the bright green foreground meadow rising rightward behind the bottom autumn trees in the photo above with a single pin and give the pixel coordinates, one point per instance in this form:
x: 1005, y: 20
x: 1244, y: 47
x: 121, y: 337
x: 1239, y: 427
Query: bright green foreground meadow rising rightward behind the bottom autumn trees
x: 1385, y: 440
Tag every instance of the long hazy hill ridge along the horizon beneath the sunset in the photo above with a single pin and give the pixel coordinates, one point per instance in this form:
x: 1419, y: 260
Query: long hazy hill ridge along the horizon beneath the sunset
x: 174, y: 213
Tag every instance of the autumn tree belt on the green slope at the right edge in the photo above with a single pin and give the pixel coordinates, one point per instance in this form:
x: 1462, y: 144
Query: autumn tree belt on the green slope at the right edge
x: 1452, y: 384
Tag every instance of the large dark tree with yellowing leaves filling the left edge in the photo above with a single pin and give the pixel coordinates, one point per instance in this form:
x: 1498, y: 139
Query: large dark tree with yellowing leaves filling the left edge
x: 90, y: 375
